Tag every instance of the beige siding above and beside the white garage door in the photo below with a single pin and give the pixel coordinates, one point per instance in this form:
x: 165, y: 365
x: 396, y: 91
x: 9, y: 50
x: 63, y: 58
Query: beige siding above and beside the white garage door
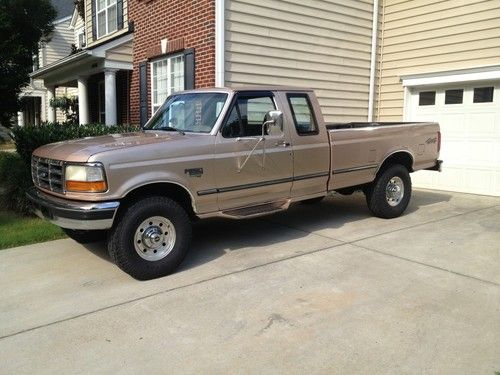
x: 432, y: 36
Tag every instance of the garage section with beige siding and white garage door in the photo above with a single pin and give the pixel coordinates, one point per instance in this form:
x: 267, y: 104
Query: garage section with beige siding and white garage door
x: 440, y: 61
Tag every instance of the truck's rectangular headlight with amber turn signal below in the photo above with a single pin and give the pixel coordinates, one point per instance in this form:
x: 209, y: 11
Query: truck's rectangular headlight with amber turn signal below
x: 88, y: 178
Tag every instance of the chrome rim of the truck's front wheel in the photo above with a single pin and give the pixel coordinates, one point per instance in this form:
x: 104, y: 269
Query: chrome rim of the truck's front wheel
x: 154, y: 238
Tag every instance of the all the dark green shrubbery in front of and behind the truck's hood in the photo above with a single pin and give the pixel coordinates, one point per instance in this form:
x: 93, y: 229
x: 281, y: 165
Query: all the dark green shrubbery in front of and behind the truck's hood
x: 15, y: 169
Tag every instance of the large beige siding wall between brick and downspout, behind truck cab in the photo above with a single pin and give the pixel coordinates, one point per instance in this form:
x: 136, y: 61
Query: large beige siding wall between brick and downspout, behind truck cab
x: 324, y: 45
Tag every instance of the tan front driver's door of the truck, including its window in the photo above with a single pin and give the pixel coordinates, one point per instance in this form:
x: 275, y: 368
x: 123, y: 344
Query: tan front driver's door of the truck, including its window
x: 251, y: 168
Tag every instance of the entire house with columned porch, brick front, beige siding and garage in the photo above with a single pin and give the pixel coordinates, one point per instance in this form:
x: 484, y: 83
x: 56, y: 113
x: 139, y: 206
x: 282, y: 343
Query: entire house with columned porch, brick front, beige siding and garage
x: 367, y: 60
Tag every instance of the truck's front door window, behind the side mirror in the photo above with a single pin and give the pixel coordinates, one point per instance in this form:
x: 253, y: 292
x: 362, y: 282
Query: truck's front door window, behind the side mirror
x: 247, y: 116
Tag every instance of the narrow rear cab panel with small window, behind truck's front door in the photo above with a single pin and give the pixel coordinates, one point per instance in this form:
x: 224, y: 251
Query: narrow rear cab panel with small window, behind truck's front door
x: 310, y: 143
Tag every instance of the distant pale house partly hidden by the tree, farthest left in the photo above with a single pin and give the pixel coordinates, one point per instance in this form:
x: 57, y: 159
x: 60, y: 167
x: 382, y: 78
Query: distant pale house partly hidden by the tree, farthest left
x: 34, y: 103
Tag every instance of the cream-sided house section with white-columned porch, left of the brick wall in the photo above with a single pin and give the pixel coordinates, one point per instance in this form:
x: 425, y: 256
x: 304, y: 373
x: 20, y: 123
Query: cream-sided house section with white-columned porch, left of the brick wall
x: 100, y: 68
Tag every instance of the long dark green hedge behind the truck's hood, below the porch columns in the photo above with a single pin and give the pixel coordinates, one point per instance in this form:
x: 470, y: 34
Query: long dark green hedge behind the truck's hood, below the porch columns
x: 29, y: 138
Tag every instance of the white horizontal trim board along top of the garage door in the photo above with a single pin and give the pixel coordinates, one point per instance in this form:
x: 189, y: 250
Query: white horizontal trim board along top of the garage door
x: 489, y: 73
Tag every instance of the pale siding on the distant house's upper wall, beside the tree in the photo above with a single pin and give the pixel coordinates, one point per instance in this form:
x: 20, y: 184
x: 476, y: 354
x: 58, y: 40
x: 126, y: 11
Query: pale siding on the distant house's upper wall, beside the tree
x: 59, y: 45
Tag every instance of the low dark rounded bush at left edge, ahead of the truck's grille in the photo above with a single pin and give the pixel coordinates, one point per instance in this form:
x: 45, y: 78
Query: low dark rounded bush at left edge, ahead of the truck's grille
x: 15, y: 179
